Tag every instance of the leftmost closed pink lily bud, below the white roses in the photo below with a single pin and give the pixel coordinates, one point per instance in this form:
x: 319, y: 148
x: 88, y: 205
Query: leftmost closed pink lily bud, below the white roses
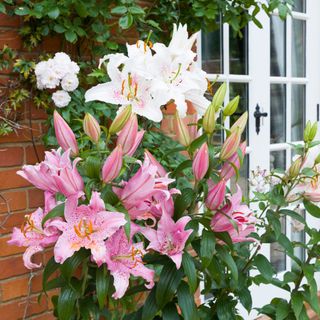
x: 64, y: 134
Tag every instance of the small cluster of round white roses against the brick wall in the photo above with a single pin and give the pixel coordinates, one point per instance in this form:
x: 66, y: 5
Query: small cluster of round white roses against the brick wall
x: 59, y: 70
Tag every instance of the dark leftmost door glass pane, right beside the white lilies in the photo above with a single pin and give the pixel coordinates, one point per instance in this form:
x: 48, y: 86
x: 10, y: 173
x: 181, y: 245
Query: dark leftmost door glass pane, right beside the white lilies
x: 212, y: 51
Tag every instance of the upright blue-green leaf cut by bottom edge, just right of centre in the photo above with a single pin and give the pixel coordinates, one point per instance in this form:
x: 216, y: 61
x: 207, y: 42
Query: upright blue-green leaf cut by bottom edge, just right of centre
x: 186, y: 302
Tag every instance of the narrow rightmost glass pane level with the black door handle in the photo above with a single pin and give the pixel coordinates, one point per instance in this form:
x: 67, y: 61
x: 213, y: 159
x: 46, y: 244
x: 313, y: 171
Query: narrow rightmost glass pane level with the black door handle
x: 298, y: 107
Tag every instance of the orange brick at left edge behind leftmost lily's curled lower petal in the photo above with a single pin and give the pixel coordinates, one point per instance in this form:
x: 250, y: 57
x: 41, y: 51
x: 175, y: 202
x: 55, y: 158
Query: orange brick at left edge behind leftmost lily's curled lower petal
x: 13, y: 266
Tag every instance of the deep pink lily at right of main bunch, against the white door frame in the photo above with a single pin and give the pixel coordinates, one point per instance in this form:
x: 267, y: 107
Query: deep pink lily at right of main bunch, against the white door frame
x: 239, y: 214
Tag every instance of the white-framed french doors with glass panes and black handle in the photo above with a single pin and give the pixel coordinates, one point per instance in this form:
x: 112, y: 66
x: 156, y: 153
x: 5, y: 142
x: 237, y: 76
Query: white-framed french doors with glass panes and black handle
x: 278, y: 69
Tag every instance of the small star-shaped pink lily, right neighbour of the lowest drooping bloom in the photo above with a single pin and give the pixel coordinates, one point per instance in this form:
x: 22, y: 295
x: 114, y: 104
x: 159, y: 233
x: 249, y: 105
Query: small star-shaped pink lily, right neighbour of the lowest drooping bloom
x: 170, y: 238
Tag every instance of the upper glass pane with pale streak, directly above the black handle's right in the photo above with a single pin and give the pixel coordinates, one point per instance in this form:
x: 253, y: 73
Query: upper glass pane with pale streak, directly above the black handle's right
x: 277, y: 47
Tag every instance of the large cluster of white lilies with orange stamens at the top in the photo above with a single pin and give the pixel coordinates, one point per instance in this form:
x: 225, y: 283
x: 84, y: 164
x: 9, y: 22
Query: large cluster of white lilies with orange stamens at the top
x: 150, y: 76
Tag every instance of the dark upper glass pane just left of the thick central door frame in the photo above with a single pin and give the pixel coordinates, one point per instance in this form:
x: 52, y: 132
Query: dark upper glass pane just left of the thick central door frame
x: 239, y: 53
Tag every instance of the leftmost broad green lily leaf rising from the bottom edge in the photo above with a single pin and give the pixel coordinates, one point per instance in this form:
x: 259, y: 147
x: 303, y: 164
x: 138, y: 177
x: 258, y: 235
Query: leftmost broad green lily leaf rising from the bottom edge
x: 66, y: 303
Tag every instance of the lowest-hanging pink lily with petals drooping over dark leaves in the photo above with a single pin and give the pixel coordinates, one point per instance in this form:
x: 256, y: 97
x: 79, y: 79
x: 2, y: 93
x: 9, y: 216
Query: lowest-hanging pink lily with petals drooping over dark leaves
x: 124, y: 258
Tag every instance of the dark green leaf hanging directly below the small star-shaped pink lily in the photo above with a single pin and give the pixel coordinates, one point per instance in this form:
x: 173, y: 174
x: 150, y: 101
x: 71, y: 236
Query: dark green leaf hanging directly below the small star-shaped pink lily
x: 169, y: 281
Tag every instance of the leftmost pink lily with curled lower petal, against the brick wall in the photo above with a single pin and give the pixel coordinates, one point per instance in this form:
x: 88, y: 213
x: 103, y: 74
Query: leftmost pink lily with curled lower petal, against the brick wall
x: 33, y: 236
